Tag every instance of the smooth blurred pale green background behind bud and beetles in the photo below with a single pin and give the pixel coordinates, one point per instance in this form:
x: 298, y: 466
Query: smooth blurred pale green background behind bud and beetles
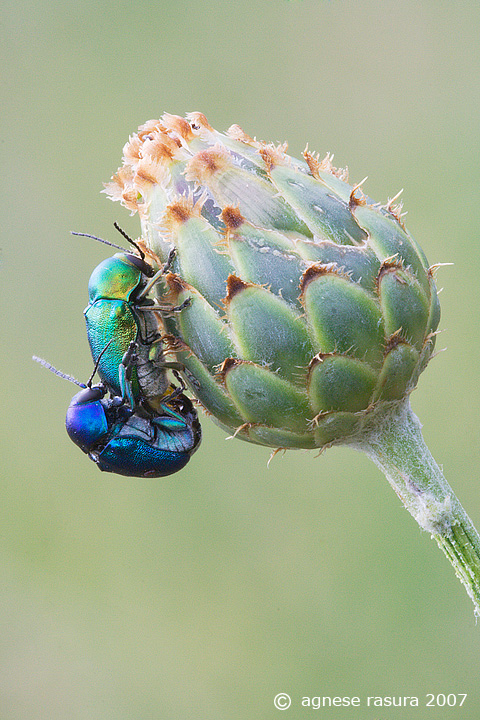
x: 205, y: 594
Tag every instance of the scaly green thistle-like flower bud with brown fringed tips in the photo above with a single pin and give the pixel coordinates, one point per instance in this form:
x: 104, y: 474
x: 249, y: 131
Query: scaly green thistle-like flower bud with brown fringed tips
x: 311, y: 306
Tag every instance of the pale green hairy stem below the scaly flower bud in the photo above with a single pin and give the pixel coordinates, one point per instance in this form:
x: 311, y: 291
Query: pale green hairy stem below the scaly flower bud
x: 394, y: 442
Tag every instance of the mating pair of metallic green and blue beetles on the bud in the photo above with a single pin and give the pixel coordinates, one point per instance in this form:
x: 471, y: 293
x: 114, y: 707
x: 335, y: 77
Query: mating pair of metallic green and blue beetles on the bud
x: 147, y: 427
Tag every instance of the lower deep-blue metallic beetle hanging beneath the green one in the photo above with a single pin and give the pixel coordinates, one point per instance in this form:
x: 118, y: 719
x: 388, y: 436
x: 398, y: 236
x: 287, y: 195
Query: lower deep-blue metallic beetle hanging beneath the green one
x: 136, y: 442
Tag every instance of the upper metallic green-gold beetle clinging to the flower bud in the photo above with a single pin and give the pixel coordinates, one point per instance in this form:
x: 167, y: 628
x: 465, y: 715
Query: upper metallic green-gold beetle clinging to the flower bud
x: 119, y: 313
